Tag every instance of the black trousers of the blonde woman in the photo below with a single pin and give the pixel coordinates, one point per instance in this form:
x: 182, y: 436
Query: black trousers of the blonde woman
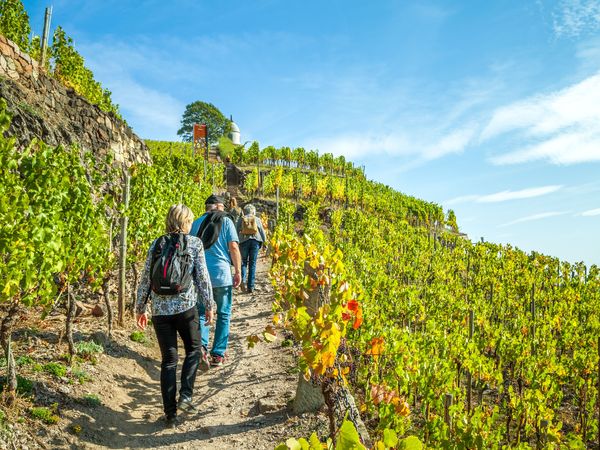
x: 167, y: 327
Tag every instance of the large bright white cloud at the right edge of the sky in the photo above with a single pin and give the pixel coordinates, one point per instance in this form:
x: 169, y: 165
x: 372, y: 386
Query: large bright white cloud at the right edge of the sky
x: 562, y: 127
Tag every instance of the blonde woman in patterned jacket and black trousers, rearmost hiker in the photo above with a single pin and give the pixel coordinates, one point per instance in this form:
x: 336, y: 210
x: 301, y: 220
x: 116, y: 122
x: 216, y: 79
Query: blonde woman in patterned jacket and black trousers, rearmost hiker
x: 173, y: 300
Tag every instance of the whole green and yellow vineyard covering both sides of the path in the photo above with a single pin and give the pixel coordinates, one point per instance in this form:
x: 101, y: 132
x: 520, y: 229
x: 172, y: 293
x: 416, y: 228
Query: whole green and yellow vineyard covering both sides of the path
x: 439, y: 342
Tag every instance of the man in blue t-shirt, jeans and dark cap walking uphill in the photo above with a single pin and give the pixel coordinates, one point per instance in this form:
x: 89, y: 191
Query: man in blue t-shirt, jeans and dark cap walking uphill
x: 220, y: 239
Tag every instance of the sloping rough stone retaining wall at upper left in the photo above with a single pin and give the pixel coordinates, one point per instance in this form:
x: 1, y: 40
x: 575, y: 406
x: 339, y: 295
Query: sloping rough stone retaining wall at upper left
x: 44, y: 108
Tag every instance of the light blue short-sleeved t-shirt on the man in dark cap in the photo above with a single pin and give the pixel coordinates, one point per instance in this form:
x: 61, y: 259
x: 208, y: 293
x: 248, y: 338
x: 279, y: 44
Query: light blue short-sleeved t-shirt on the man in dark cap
x: 217, y: 256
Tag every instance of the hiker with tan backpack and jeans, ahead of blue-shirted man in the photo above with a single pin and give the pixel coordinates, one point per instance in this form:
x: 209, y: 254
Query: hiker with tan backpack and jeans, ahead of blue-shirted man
x: 252, y: 236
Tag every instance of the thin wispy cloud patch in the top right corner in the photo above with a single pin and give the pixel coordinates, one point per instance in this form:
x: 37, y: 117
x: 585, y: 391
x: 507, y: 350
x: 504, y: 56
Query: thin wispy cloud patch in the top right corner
x: 576, y: 17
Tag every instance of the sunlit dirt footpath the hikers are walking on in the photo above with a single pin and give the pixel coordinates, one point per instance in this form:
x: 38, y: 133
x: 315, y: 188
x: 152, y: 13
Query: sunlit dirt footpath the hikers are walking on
x: 242, y: 404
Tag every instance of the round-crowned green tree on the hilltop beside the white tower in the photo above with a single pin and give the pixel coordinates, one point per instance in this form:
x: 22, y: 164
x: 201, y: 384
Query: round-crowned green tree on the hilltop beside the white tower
x: 201, y: 112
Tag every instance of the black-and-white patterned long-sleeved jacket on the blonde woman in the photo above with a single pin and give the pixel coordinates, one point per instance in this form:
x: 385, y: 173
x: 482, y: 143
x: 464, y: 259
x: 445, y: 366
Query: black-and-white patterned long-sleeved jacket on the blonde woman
x: 174, y: 304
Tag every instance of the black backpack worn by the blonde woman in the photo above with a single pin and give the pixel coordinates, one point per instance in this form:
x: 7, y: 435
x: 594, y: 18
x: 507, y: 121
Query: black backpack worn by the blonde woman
x: 172, y: 265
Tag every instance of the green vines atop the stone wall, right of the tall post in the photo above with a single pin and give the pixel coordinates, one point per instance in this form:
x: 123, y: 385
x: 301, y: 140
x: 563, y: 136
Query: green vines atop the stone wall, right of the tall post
x: 69, y: 68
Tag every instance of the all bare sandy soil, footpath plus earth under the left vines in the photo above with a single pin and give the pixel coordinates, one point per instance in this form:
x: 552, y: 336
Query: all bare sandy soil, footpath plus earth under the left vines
x: 243, y: 404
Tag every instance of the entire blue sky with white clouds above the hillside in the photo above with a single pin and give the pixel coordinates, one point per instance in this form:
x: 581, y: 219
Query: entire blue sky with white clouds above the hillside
x: 489, y: 108
